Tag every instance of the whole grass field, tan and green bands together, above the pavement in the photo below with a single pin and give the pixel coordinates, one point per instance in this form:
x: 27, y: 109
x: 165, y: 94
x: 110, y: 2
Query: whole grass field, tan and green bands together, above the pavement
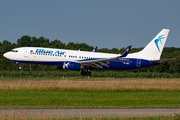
x: 90, y: 94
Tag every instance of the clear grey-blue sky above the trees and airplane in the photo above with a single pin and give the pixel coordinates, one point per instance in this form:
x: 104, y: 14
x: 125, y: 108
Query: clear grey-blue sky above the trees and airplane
x: 103, y: 23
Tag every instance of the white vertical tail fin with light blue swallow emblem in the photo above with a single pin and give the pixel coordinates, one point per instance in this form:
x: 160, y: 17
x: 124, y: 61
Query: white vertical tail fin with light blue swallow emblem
x: 154, y: 49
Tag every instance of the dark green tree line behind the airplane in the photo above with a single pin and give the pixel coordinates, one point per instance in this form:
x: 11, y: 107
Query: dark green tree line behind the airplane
x: 172, y: 66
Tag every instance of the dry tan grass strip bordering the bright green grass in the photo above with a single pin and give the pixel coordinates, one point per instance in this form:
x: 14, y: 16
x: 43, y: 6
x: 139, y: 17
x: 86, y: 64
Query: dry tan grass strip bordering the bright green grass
x: 160, y: 85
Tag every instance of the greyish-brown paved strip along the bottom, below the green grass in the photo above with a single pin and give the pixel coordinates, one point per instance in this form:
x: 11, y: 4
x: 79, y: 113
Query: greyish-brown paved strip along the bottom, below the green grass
x: 89, y: 112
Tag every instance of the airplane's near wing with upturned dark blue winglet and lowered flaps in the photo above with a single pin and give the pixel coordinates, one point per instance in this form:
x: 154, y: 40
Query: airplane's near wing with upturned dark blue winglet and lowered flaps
x: 103, y: 62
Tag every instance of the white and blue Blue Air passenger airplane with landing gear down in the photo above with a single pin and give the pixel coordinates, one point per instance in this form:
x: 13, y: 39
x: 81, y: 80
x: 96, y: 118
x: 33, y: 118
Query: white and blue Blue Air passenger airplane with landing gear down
x: 85, y: 61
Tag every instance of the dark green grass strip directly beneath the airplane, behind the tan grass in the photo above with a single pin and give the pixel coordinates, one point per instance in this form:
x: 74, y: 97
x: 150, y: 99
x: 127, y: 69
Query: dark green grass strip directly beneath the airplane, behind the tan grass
x: 95, y: 74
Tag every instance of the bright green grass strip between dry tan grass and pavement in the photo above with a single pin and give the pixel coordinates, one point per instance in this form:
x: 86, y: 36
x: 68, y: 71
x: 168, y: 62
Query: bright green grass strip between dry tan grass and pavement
x: 89, y: 99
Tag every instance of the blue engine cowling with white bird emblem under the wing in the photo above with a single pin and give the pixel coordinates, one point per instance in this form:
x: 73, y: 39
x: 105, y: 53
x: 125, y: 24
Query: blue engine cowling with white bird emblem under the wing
x: 71, y: 66
